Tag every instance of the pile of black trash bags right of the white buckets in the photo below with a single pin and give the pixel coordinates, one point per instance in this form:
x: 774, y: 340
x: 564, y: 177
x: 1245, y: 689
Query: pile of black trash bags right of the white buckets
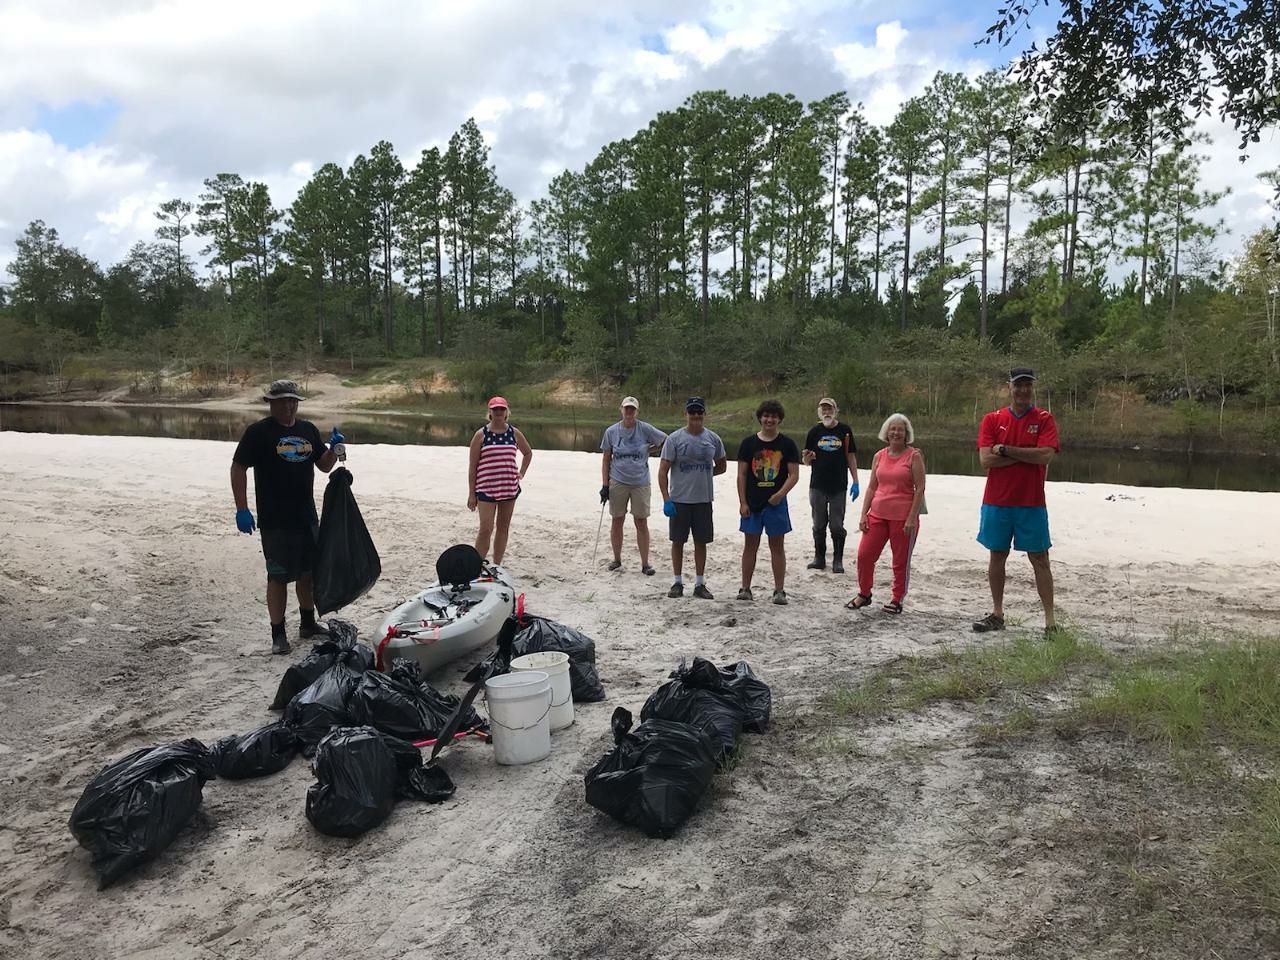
x: 657, y: 774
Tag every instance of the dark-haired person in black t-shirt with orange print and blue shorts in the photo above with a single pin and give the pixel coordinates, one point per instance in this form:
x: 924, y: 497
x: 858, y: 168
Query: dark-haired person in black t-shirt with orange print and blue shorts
x: 769, y: 467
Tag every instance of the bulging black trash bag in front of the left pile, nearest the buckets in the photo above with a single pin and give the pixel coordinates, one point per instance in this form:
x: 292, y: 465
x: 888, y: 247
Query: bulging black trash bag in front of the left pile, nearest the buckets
x: 360, y: 775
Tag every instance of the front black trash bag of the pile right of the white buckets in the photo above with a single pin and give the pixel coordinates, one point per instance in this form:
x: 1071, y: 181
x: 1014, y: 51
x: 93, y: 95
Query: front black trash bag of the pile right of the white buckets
x: 655, y: 776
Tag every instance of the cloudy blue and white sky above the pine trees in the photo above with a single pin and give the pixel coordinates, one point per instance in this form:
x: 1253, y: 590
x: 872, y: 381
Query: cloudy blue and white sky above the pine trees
x: 108, y: 109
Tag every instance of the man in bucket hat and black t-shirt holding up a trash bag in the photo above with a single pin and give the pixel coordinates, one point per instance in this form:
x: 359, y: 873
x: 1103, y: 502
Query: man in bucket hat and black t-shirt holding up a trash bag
x: 285, y: 454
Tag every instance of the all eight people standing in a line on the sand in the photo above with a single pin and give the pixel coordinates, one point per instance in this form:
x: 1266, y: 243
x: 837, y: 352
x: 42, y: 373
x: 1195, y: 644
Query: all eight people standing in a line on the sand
x: 1016, y: 446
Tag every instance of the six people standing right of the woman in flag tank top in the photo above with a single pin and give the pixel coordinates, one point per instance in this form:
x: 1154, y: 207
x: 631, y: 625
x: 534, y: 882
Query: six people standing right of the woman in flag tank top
x: 1016, y: 445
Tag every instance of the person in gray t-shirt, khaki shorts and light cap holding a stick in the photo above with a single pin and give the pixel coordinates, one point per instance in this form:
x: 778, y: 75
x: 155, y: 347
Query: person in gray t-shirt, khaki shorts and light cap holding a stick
x: 628, y: 446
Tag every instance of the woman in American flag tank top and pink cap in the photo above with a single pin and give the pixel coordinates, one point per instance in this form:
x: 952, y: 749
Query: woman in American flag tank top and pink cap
x: 495, y: 479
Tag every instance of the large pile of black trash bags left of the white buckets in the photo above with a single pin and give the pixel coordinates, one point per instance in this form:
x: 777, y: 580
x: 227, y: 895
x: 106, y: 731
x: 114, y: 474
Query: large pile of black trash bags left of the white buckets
x: 359, y: 725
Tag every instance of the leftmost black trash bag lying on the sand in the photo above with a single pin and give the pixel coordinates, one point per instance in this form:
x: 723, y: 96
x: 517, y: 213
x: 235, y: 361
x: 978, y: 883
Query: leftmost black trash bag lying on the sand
x: 135, y: 808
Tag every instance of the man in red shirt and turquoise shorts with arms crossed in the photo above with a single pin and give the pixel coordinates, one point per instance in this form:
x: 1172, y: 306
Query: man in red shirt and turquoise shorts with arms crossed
x: 1016, y: 445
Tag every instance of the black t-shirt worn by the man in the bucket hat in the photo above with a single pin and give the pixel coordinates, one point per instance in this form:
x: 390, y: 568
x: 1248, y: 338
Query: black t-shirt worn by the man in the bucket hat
x: 284, y: 461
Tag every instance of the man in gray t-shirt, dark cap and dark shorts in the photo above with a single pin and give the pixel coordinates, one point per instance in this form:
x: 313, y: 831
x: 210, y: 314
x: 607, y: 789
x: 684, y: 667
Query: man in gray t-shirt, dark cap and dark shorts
x: 691, y: 459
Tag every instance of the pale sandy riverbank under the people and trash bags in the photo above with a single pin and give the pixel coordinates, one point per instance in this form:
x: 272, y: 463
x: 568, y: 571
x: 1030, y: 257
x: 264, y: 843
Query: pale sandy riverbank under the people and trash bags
x: 134, y: 615
